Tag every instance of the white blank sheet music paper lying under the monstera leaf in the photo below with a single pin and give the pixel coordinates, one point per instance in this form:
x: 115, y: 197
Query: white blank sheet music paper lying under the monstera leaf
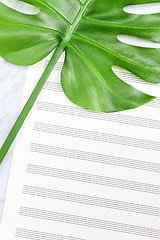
x: 79, y: 175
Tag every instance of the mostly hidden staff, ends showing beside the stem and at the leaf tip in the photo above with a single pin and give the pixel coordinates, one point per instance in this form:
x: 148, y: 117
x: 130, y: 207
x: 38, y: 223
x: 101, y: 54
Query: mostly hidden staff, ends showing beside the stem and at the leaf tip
x: 57, y: 87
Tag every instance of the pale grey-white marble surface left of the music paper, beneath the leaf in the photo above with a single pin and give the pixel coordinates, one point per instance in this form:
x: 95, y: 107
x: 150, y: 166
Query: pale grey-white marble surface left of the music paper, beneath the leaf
x: 12, y: 79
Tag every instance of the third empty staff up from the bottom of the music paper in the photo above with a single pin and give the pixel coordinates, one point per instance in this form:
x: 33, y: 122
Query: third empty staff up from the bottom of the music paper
x: 91, y: 200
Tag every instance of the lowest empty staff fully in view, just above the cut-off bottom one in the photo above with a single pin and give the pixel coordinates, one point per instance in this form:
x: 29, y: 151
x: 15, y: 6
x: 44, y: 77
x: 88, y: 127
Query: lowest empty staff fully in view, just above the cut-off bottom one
x: 89, y: 222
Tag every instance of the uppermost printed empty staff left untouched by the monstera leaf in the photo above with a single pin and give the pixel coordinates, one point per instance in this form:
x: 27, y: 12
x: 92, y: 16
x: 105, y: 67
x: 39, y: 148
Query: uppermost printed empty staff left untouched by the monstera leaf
x: 97, y: 136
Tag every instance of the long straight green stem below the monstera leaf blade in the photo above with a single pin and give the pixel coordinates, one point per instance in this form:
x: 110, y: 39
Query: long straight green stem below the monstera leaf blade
x: 29, y: 104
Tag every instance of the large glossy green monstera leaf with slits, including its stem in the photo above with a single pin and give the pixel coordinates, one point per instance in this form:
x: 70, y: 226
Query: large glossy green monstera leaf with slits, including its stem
x: 87, y: 31
